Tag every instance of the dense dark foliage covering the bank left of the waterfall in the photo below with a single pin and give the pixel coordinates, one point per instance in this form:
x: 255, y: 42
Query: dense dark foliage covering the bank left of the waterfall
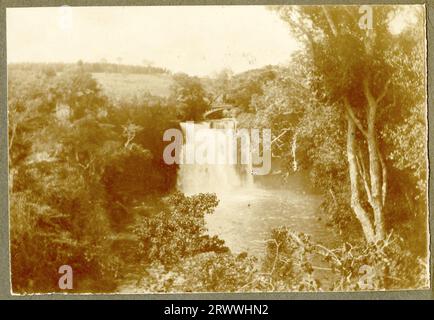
x: 78, y: 166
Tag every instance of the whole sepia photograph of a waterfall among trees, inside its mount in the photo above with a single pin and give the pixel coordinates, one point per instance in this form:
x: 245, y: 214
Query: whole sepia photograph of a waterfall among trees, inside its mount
x: 217, y: 149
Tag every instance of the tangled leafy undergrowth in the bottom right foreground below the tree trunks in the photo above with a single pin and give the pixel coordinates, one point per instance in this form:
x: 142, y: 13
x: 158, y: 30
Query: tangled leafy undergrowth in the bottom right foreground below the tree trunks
x: 385, y: 265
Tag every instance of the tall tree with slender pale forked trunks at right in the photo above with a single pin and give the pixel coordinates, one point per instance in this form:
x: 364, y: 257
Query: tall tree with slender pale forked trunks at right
x: 370, y: 73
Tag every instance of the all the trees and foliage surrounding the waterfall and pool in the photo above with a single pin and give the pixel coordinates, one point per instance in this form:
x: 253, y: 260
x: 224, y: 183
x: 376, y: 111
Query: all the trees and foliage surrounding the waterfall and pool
x: 89, y: 187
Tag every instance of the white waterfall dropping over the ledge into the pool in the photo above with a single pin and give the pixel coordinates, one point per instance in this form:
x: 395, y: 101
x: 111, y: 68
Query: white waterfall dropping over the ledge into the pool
x: 219, y: 176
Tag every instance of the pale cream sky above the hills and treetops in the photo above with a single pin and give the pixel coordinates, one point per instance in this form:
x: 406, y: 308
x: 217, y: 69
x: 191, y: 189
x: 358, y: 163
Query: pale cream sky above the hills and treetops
x: 198, y: 40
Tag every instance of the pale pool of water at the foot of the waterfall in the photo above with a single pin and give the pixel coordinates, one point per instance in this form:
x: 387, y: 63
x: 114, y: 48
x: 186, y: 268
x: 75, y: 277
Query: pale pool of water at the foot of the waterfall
x: 245, y: 217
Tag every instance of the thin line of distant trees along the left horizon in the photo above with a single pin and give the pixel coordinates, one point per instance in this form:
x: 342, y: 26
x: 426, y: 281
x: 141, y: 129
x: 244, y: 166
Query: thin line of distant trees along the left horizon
x: 91, y: 67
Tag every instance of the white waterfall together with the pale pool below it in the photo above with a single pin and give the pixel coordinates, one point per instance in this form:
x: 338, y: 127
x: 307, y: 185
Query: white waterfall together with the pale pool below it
x: 246, y: 213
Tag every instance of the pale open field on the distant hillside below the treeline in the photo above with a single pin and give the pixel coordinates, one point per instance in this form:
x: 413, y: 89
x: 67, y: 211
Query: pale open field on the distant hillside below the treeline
x: 120, y: 85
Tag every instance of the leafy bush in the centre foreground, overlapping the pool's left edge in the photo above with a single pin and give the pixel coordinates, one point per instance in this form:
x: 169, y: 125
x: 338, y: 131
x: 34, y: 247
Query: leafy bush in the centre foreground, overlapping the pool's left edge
x: 178, y: 230
